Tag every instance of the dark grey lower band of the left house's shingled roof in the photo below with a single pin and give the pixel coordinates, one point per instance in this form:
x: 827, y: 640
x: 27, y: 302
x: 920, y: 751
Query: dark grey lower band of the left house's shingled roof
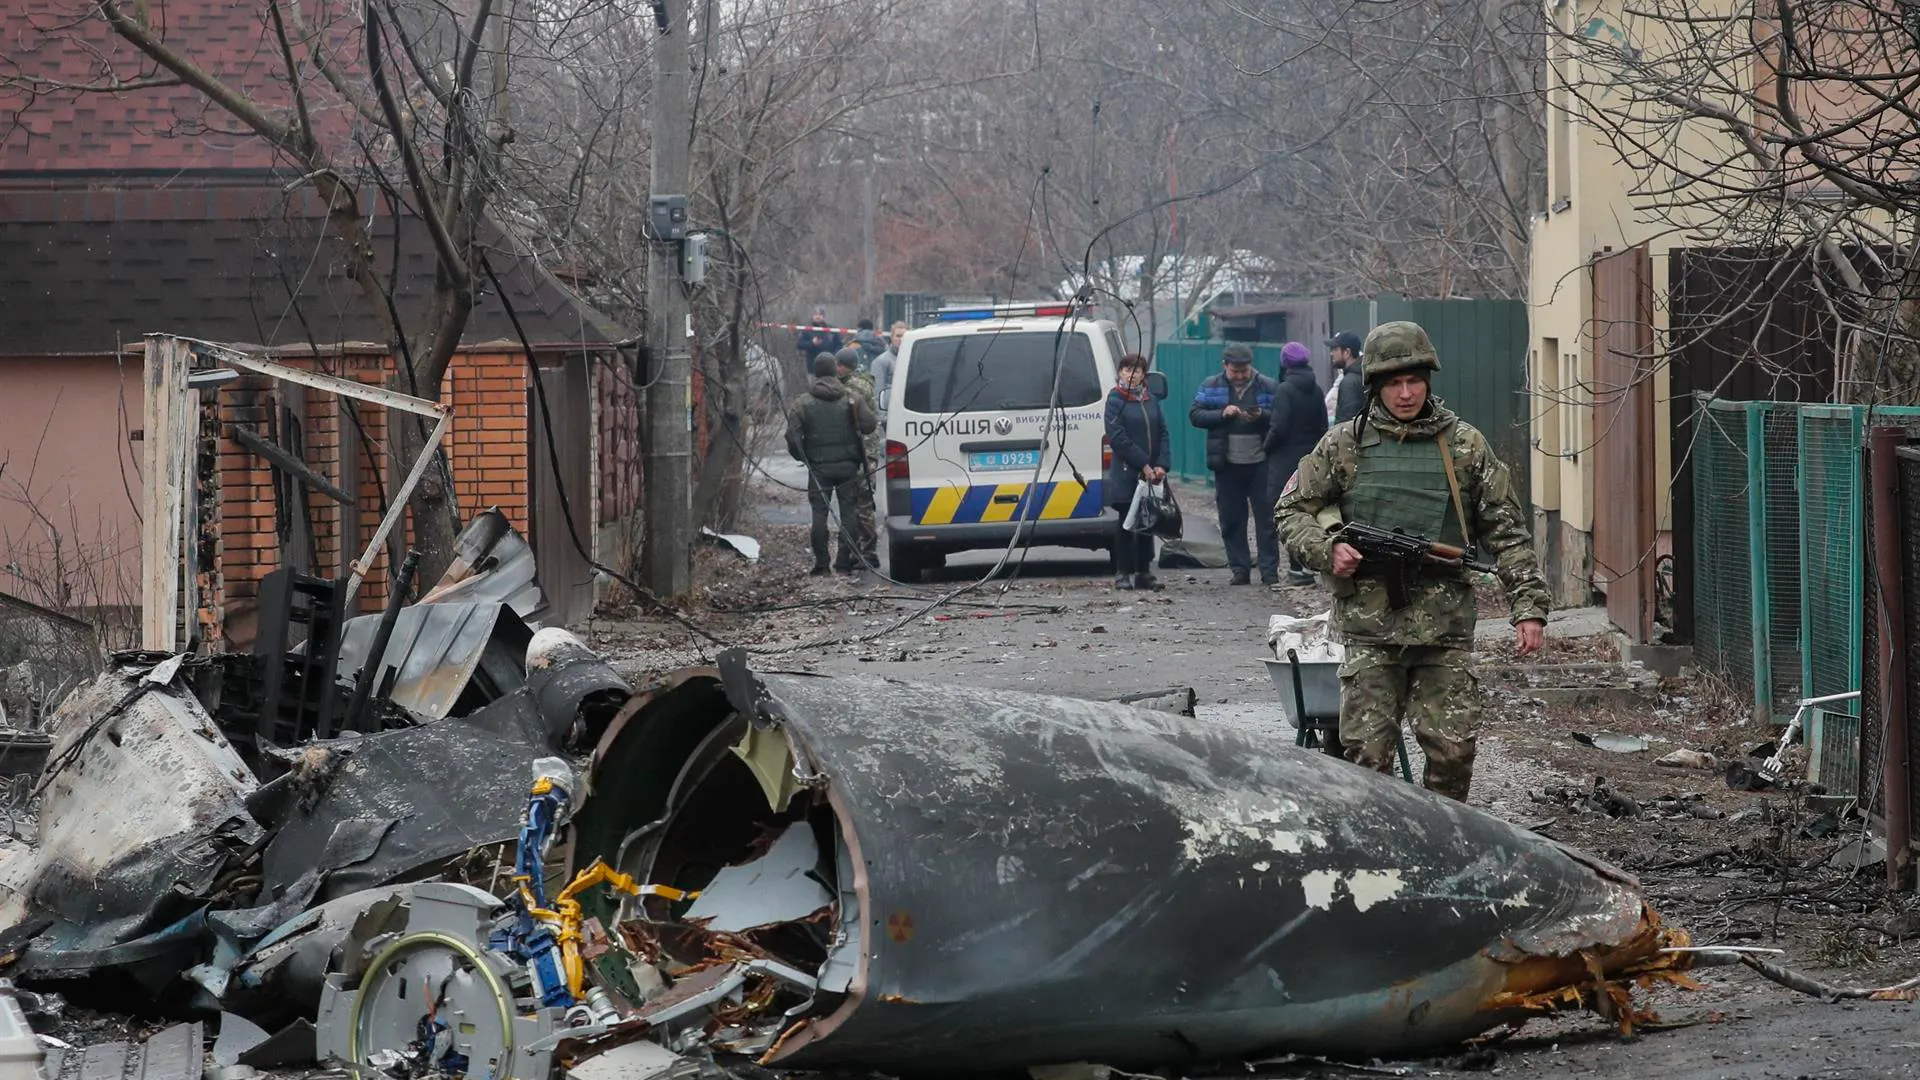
x: 93, y: 272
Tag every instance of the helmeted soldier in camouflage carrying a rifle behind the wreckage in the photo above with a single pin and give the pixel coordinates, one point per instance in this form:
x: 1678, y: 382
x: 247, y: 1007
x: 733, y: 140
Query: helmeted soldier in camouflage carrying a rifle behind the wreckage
x: 1406, y: 462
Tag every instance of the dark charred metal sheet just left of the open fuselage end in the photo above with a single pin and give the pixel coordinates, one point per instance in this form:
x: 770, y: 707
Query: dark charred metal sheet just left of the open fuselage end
x: 429, y: 793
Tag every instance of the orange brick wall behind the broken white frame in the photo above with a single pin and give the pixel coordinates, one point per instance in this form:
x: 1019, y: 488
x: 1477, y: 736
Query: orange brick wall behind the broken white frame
x: 487, y: 449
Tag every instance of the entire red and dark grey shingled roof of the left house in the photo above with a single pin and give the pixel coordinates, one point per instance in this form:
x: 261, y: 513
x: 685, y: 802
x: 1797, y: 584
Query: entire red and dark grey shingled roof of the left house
x: 153, y: 210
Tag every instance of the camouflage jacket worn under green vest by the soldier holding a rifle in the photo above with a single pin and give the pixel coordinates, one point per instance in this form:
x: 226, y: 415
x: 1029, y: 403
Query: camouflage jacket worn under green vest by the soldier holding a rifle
x: 1443, y: 608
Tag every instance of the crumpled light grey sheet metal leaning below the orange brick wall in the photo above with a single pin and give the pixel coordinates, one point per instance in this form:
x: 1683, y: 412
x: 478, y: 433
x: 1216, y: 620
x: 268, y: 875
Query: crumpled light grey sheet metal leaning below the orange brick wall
x: 452, y: 658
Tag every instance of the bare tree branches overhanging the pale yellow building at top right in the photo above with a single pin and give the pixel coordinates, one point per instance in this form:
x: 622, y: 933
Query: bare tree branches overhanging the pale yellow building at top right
x: 1785, y: 130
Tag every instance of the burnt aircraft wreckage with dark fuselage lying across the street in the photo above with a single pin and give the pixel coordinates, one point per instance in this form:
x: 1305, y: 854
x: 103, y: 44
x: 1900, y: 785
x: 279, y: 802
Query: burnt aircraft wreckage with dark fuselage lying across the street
x: 798, y: 871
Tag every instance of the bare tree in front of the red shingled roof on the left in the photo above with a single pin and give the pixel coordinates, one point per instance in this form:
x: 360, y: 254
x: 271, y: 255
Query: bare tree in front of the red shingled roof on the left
x: 358, y: 101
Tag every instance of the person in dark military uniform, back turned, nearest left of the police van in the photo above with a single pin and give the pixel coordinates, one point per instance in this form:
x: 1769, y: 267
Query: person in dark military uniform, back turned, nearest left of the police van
x: 827, y: 431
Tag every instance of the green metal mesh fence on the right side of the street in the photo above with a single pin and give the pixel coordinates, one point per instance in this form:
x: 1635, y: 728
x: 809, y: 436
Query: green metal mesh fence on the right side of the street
x: 1779, y: 539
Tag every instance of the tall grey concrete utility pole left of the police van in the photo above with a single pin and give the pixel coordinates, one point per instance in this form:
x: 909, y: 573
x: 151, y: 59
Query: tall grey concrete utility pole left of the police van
x: 667, y: 435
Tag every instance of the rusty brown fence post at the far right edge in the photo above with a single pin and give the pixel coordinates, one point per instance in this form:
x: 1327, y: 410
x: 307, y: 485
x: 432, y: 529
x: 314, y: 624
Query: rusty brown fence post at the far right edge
x: 1888, y: 549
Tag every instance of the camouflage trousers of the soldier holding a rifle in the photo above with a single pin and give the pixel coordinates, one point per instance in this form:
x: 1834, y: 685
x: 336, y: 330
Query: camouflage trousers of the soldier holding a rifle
x: 1435, y: 689
